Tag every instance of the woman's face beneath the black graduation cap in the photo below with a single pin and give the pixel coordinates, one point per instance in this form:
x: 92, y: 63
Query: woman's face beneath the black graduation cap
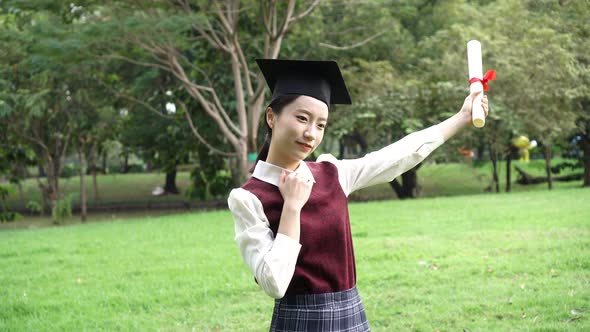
x: 296, y: 131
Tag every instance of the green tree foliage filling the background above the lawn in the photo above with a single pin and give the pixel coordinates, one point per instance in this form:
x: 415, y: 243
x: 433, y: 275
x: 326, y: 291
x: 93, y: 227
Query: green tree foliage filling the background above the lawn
x: 62, y: 72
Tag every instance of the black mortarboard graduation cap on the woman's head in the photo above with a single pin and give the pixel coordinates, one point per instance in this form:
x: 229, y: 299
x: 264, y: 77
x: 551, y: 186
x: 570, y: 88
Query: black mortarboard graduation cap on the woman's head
x: 319, y: 79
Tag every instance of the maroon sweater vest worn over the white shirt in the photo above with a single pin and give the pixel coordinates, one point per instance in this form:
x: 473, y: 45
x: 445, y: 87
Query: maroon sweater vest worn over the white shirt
x: 326, y: 260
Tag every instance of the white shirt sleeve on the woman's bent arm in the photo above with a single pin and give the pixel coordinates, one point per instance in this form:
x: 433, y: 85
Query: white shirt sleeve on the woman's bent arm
x: 271, y: 260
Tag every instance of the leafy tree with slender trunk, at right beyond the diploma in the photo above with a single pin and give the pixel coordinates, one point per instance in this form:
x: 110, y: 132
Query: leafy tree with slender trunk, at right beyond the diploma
x: 542, y: 71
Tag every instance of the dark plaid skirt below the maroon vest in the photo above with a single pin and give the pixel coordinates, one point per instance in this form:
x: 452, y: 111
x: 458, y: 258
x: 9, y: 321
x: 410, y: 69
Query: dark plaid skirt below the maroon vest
x: 340, y: 311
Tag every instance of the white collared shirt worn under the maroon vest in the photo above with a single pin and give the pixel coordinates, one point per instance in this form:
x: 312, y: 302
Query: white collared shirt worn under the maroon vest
x: 272, y: 259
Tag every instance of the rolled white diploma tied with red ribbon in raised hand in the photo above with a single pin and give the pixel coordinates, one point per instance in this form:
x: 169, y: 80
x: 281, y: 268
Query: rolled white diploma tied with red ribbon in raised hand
x: 475, y: 70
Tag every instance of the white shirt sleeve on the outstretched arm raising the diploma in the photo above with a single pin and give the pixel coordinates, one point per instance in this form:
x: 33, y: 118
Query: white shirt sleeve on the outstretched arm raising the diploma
x: 386, y: 164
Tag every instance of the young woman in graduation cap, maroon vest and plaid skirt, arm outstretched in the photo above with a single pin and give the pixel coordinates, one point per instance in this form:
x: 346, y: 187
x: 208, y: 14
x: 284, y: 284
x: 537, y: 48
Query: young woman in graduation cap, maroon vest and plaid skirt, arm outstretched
x: 291, y: 217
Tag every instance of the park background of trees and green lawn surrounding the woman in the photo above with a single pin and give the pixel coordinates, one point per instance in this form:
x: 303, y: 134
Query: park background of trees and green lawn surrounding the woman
x: 123, y: 122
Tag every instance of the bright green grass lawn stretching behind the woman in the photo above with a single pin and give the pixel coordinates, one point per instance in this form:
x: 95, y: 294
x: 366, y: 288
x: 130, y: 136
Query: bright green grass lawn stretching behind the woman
x: 507, y: 262
